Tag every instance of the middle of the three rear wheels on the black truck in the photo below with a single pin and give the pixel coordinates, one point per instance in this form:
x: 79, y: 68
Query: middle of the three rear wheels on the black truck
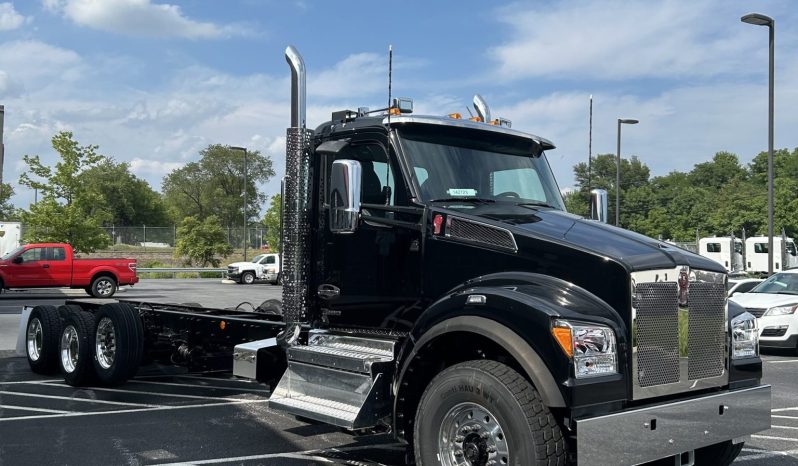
x: 76, y: 347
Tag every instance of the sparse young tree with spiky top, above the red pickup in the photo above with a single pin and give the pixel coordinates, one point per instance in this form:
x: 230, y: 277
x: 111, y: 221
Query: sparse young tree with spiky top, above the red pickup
x: 67, y: 212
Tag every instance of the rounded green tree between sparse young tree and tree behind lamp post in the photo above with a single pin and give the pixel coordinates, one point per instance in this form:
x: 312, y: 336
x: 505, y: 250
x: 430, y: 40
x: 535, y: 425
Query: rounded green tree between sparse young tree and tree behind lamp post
x: 126, y: 199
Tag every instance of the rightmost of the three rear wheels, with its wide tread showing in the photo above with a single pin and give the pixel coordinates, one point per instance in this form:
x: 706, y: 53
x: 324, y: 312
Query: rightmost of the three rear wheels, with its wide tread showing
x: 118, y: 343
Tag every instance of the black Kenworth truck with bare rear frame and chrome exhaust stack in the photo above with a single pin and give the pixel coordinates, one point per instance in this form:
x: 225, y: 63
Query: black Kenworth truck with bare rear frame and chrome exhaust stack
x: 435, y: 287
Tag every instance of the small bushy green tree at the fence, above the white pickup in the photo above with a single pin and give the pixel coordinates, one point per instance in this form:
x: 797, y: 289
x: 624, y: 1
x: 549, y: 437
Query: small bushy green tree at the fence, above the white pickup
x: 201, y: 243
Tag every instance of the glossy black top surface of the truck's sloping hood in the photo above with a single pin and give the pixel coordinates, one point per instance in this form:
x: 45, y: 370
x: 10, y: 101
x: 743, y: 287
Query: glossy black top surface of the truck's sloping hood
x: 634, y: 251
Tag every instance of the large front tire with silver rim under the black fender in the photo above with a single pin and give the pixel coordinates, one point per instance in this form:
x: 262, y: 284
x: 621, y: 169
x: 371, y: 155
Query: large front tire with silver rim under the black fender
x: 480, y: 411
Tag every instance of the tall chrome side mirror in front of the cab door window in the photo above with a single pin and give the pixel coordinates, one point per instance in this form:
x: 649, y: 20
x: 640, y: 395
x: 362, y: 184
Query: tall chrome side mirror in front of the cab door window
x: 344, y: 196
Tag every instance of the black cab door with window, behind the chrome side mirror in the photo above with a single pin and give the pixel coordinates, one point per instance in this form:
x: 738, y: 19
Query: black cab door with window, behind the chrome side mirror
x: 370, y: 277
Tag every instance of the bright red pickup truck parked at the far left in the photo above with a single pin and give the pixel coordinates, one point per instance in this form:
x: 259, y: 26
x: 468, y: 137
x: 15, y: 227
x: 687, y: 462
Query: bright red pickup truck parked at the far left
x: 54, y: 265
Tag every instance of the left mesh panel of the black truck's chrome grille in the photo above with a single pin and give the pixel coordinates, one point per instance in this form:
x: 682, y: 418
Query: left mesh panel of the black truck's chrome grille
x: 657, y: 333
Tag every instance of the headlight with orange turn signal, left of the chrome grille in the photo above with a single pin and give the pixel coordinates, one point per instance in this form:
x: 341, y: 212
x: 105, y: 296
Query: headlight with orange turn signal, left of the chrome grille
x: 591, y: 347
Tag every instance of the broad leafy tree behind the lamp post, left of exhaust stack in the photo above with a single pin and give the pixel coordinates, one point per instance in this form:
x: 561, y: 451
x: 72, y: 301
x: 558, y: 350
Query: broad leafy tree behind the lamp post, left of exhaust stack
x: 214, y: 185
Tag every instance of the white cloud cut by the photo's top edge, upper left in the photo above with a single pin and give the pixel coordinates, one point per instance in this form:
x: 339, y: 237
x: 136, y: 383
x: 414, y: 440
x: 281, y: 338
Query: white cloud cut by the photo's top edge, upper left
x: 136, y: 18
